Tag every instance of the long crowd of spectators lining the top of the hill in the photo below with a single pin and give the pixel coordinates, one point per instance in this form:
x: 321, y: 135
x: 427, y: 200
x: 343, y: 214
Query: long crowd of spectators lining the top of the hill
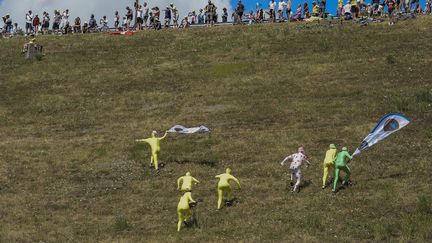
x: 143, y: 17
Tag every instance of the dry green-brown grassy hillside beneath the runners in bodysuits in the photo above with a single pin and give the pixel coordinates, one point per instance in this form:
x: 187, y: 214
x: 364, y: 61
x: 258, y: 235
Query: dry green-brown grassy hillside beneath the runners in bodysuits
x: 71, y: 172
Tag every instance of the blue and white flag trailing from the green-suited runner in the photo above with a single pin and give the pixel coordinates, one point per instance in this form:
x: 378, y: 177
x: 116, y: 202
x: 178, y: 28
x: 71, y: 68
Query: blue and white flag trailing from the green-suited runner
x: 388, y: 125
